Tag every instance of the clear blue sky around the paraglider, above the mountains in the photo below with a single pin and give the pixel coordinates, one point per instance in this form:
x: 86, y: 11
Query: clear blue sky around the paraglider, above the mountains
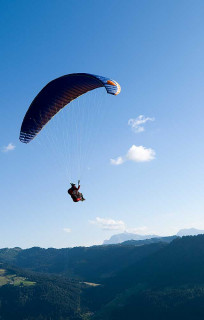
x: 155, y: 50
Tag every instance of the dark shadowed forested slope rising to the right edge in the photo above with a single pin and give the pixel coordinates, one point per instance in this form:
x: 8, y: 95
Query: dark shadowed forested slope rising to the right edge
x: 167, y: 284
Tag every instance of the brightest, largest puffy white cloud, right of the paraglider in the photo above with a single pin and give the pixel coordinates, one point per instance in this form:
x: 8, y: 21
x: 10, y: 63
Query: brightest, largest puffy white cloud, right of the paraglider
x: 136, y: 154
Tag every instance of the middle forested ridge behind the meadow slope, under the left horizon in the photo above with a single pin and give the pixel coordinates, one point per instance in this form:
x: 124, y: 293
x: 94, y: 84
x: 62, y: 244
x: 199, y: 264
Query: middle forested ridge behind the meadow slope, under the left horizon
x: 90, y: 264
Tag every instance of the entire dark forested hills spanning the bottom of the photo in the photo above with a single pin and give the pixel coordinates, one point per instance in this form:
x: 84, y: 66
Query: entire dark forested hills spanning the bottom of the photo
x: 134, y: 280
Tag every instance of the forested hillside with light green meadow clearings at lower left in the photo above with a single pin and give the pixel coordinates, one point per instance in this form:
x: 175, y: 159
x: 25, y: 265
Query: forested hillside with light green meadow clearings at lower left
x: 28, y: 295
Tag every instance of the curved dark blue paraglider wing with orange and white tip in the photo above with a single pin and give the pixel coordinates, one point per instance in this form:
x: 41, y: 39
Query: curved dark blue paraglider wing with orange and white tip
x: 57, y: 94
